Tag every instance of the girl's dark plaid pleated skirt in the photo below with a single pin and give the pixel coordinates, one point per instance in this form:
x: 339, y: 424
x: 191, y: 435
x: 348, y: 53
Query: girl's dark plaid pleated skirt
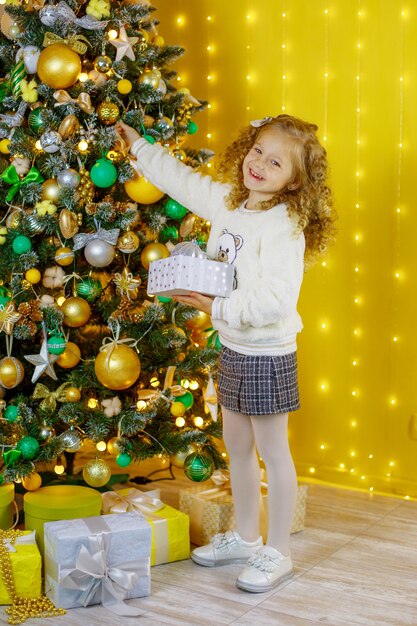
x: 258, y: 385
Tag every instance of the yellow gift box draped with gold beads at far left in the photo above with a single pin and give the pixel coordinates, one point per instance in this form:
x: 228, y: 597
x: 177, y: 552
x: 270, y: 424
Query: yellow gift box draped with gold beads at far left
x: 26, y: 567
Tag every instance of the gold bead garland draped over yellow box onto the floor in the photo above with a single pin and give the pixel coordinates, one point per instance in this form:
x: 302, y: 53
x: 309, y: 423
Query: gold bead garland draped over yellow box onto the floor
x: 21, y: 609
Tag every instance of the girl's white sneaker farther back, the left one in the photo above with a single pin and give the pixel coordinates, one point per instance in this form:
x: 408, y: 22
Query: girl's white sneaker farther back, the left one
x: 225, y: 548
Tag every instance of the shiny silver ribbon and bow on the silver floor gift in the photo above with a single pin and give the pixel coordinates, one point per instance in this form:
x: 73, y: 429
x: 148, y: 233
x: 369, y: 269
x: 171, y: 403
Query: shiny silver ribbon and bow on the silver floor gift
x: 98, y: 582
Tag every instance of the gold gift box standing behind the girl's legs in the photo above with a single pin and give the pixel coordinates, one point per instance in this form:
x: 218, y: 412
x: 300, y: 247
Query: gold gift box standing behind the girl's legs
x: 210, y: 508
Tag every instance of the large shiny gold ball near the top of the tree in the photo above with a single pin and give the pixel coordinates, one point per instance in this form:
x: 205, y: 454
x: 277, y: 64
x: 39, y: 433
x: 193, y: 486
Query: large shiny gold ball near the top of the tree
x: 58, y: 66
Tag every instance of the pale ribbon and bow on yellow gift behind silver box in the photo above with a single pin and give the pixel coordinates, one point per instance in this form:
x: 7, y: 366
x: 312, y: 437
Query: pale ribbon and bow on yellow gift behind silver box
x: 146, y: 504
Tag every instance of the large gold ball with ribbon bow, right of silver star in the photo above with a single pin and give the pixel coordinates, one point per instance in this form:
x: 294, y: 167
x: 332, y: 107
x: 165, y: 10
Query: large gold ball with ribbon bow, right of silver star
x: 121, y: 370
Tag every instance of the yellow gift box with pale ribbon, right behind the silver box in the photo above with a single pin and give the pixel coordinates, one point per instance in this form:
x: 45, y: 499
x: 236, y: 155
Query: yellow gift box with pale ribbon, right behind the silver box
x: 170, y: 528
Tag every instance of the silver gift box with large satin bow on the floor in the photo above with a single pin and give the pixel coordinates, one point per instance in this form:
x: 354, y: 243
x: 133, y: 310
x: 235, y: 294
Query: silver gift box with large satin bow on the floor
x: 88, y: 560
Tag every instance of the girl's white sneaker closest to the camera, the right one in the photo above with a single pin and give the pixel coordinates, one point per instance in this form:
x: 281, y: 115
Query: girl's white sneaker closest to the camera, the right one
x: 265, y: 569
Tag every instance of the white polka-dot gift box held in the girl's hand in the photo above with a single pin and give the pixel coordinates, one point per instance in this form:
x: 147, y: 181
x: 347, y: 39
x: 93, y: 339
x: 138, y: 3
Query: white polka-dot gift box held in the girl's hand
x: 180, y: 274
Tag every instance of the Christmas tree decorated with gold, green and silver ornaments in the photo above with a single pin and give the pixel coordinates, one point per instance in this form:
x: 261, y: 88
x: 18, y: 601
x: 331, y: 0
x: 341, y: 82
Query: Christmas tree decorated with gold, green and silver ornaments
x: 87, y: 353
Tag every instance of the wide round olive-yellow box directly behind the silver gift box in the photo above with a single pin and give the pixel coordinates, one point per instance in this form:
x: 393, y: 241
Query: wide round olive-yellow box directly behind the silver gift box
x: 58, y: 502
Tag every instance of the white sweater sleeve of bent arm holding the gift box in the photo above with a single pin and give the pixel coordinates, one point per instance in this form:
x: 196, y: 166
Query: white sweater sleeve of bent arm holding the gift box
x: 273, y: 297
